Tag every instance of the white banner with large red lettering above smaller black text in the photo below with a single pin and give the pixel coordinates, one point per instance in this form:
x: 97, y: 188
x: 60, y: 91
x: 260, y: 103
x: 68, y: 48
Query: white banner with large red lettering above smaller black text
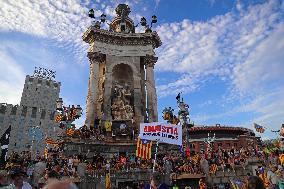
x: 162, y: 132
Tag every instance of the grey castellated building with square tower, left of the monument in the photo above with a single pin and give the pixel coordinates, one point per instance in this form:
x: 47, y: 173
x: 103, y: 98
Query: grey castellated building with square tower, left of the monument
x: 33, y: 119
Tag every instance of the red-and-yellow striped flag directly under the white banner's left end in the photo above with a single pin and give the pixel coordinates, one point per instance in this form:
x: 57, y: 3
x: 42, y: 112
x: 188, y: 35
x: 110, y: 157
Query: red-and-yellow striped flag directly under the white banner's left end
x: 144, y: 149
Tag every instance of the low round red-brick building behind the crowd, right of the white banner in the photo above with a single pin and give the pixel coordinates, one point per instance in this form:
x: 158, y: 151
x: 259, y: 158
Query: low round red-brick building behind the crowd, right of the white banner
x: 223, y: 137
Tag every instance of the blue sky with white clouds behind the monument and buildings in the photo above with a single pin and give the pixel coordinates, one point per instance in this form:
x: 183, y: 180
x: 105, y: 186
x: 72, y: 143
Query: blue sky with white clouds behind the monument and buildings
x: 225, y: 57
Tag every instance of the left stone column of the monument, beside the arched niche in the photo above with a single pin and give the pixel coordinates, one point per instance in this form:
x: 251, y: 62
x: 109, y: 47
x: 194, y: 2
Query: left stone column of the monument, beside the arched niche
x: 95, y: 58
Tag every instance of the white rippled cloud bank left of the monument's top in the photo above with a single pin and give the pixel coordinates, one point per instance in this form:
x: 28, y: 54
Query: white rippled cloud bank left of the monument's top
x: 64, y: 22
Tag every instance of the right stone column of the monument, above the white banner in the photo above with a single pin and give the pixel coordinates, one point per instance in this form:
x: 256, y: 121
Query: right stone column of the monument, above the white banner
x: 151, y: 88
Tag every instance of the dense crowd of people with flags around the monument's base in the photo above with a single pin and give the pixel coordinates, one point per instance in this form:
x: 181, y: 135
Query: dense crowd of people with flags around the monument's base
x: 55, y: 165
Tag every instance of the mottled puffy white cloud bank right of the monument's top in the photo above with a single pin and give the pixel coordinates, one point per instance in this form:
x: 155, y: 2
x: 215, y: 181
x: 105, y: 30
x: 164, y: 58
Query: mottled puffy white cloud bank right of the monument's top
x: 217, y: 47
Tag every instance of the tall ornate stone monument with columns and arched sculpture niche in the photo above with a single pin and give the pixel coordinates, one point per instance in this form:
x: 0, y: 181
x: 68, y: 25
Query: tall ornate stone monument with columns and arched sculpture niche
x: 121, y: 82
